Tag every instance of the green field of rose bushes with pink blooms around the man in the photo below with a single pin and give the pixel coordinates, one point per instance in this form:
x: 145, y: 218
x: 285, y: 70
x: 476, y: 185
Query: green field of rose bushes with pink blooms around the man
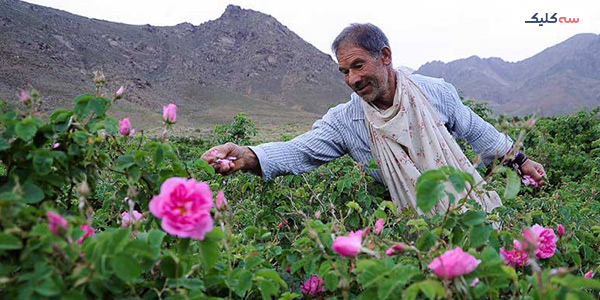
x: 91, y: 208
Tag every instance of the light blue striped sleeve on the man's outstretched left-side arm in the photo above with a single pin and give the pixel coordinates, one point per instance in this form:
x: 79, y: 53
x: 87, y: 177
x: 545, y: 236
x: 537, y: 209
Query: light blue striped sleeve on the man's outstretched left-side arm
x: 323, y: 143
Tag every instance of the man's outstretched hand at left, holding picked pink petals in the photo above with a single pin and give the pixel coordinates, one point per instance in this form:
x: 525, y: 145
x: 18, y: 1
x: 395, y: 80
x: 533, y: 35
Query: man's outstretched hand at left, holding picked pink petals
x: 242, y: 159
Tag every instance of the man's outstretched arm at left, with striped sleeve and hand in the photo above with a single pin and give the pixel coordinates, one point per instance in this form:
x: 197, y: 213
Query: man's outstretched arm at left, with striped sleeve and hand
x: 321, y: 144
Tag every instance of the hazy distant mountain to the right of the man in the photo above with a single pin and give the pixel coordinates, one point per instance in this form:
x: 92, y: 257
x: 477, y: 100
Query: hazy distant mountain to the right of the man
x: 561, y: 79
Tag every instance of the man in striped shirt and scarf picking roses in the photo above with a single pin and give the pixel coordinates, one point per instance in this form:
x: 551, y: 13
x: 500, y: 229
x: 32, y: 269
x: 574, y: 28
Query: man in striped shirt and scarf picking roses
x: 402, y: 121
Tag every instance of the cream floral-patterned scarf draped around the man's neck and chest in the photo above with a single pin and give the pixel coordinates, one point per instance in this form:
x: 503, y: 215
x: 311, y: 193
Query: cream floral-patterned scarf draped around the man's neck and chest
x: 408, y: 139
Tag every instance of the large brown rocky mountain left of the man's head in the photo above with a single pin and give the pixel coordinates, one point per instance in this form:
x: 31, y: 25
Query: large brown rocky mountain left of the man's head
x: 244, y: 61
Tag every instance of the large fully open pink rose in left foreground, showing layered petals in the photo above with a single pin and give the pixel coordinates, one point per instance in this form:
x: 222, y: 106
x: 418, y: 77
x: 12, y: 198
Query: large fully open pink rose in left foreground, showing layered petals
x: 184, y: 207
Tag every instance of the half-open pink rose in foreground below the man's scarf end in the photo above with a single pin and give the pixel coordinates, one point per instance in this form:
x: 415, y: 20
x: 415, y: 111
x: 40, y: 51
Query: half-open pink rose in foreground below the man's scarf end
x: 454, y: 263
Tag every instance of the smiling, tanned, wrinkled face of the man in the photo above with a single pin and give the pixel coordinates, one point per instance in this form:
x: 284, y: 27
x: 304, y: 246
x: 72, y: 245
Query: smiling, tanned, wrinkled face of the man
x: 365, y: 74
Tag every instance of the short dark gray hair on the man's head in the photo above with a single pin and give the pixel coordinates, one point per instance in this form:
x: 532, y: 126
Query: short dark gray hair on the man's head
x: 366, y: 36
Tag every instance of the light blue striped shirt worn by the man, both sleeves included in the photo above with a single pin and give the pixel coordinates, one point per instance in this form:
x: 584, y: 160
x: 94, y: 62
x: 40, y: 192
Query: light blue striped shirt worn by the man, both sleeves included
x: 343, y: 130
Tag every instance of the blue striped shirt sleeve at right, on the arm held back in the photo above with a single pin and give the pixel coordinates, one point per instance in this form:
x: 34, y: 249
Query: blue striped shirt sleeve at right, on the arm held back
x: 464, y: 123
